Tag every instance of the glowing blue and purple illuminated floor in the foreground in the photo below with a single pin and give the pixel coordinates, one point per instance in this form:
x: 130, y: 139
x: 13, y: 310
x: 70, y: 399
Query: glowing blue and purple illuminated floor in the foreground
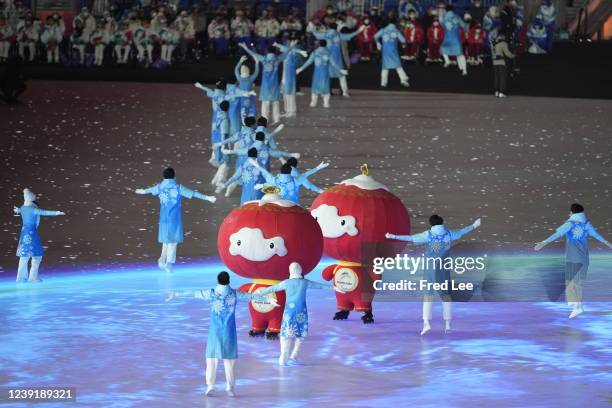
x: 114, y: 338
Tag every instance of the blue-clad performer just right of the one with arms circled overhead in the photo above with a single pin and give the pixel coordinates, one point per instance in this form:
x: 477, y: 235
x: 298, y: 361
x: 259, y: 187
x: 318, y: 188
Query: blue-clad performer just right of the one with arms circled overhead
x: 270, y: 86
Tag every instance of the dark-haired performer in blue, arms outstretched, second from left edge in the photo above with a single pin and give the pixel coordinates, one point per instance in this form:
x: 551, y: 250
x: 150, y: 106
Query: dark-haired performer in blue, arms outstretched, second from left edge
x: 170, y: 232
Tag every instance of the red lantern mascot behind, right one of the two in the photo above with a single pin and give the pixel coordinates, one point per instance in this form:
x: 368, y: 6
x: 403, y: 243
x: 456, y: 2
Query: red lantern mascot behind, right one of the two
x: 354, y: 216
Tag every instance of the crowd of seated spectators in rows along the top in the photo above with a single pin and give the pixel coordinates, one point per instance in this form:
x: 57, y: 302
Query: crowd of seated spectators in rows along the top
x: 158, y: 35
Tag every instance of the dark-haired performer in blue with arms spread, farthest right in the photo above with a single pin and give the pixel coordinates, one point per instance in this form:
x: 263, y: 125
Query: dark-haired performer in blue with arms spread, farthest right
x: 577, y: 230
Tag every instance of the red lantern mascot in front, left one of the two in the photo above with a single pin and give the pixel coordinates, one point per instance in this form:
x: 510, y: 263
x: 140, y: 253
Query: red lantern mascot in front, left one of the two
x: 259, y: 240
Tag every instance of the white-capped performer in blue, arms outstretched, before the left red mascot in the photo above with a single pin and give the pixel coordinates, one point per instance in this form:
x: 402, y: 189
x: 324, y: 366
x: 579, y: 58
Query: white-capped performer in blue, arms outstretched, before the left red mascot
x: 294, y: 327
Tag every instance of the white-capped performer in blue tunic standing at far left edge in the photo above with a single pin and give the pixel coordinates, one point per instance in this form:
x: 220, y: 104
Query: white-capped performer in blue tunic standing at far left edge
x: 30, y: 245
